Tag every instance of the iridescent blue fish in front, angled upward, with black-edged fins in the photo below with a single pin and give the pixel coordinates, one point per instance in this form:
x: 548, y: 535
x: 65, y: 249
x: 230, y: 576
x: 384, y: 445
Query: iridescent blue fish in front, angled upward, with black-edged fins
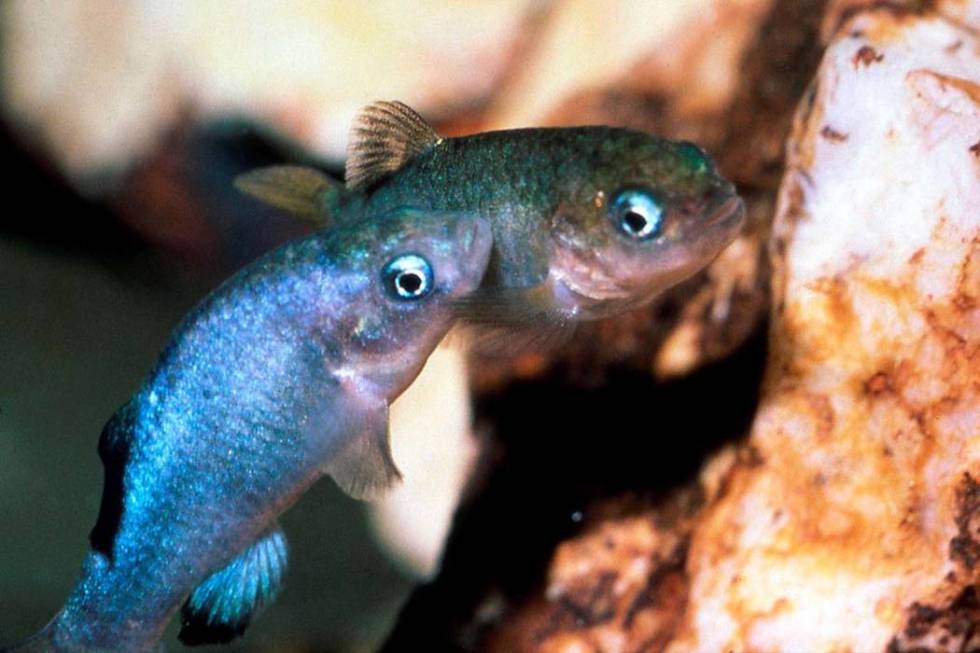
x: 280, y: 376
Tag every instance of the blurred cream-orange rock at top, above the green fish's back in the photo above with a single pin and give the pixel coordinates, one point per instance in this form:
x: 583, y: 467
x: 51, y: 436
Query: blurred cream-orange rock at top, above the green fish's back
x: 694, y: 45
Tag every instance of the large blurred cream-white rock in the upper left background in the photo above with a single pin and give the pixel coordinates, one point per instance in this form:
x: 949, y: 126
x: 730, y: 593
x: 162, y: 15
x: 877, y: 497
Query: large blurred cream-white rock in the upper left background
x: 97, y: 84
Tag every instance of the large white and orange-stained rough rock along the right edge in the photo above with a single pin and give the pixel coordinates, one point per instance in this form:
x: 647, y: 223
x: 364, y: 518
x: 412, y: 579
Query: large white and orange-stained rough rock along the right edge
x: 856, y: 528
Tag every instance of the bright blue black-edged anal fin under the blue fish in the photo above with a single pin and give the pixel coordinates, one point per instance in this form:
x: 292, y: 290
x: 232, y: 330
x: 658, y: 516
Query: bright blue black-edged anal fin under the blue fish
x: 220, y: 608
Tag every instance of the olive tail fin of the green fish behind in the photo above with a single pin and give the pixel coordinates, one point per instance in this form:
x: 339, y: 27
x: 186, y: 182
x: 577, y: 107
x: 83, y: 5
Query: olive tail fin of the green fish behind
x: 298, y: 190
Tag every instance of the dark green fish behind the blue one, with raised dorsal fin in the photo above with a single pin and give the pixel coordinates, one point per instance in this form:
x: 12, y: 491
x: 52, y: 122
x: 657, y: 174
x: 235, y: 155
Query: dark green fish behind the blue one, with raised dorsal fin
x: 587, y: 222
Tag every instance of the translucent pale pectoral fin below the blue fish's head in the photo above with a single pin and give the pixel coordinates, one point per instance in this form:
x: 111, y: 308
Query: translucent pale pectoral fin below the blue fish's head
x: 364, y: 467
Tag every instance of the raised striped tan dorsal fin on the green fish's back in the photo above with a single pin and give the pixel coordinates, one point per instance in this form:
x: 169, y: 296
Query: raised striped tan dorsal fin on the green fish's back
x: 386, y: 135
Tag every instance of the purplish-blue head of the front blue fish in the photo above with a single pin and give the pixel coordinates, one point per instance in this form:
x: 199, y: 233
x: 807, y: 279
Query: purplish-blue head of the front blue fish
x: 411, y: 268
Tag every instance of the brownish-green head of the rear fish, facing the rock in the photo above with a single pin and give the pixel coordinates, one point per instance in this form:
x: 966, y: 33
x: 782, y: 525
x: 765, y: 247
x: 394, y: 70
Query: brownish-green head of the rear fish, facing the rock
x: 644, y: 214
